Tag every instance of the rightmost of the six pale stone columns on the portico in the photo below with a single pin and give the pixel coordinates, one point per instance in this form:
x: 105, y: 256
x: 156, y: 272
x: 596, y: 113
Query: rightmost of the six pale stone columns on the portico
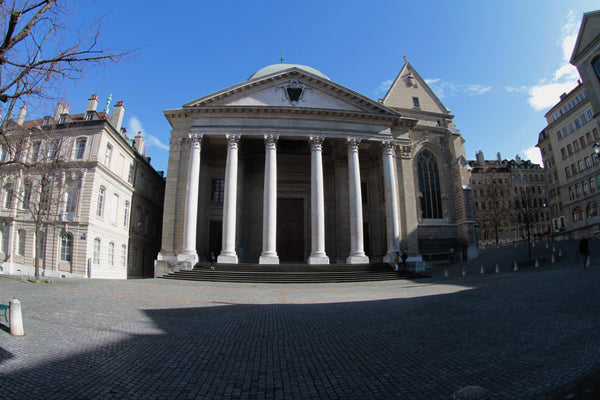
x: 391, y: 200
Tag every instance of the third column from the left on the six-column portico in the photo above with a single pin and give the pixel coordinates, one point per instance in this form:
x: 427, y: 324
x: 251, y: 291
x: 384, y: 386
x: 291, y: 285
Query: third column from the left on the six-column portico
x: 269, y: 252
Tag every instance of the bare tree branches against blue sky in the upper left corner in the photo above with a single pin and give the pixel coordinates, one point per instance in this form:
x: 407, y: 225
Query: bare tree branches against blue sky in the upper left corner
x: 40, y: 49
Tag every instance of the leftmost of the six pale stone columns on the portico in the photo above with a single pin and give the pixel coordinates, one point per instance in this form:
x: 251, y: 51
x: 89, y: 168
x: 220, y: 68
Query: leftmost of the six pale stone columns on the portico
x: 190, y: 220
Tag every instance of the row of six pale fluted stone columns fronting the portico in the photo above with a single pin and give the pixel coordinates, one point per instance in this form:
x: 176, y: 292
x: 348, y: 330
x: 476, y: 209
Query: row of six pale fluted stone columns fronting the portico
x: 317, y: 209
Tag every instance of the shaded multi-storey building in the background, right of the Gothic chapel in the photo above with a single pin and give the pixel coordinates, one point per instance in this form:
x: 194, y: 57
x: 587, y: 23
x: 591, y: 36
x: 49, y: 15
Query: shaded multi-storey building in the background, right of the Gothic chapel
x: 511, y: 199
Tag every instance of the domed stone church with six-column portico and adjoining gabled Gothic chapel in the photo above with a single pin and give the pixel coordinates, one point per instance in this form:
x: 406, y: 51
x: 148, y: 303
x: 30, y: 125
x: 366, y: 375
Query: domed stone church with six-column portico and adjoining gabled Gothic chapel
x: 289, y: 166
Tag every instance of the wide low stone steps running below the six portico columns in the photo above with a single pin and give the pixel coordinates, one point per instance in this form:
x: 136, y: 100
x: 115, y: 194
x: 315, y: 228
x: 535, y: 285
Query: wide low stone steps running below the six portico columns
x: 293, y: 273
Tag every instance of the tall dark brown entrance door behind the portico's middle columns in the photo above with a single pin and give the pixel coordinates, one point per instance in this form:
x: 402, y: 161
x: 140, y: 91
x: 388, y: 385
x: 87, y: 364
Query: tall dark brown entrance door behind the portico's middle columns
x: 290, y: 229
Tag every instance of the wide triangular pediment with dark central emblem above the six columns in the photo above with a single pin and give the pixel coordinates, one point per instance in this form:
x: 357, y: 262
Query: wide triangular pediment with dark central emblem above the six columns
x: 293, y: 88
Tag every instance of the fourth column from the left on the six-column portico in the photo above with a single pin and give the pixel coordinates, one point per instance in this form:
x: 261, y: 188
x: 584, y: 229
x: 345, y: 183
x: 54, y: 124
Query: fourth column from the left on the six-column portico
x: 317, y: 207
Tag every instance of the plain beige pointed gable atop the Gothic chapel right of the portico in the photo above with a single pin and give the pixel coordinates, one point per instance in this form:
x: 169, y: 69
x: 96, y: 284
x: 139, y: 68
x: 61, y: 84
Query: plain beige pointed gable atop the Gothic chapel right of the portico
x: 409, y: 85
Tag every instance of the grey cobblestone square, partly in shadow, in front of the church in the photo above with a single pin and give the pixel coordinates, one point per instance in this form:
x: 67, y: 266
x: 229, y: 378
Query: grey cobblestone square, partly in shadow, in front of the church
x: 519, y: 334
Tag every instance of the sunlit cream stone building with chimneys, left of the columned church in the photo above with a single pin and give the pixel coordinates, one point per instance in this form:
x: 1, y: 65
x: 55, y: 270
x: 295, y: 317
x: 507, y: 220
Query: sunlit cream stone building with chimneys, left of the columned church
x: 78, y: 195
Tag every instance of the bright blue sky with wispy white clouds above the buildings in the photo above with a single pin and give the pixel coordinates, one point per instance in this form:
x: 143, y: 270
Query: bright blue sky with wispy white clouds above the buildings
x: 498, y: 66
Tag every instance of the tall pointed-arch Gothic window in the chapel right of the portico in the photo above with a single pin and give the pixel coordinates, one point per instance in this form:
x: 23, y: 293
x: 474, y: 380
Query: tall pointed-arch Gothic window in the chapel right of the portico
x: 429, y: 185
